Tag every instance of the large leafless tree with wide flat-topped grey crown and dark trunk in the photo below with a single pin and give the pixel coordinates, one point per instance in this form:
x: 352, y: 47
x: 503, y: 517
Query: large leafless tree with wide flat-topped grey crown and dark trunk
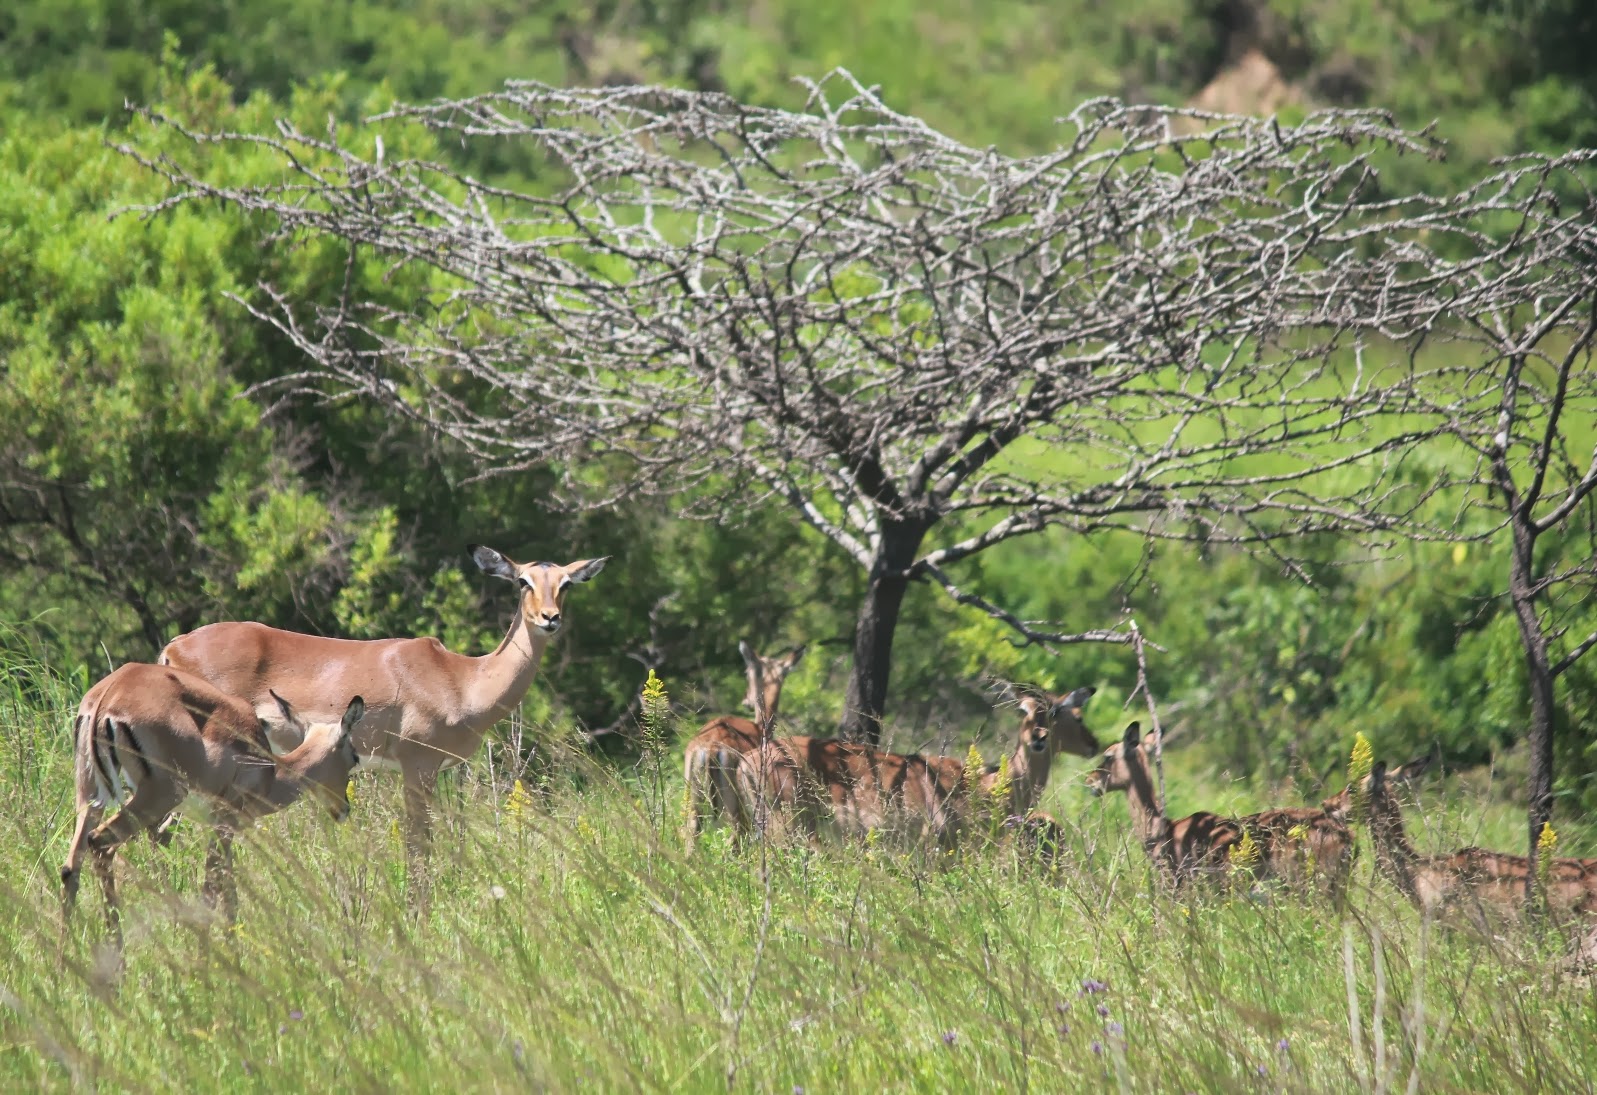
x: 1165, y: 326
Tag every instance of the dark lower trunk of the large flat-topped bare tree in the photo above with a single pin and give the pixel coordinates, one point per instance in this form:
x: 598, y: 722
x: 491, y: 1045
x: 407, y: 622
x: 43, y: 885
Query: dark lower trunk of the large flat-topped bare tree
x: 868, y: 682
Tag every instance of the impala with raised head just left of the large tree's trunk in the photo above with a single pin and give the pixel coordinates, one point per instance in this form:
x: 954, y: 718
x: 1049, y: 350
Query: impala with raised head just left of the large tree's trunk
x: 710, y: 764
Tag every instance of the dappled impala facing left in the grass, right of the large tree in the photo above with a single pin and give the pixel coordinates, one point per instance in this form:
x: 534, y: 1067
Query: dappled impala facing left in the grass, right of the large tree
x: 1291, y: 844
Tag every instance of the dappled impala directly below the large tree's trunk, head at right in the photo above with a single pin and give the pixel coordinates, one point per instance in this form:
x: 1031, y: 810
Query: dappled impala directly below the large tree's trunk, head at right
x: 807, y: 783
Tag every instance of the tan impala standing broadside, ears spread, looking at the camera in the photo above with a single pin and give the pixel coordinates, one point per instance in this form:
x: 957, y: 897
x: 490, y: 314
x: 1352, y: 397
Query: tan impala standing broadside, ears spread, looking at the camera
x: 427, y: 708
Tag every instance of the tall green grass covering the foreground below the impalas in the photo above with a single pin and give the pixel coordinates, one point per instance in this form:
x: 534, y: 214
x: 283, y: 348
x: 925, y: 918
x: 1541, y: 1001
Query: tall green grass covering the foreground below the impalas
x: 571, y: 943
